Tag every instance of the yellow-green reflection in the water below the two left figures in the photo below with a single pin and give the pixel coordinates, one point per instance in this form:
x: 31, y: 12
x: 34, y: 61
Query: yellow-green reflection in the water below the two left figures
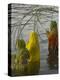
x: 28, y: 69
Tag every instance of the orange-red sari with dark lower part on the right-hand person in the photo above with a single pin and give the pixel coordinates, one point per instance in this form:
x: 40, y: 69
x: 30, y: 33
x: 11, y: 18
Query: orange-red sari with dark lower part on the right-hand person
x: 53, y: 48
